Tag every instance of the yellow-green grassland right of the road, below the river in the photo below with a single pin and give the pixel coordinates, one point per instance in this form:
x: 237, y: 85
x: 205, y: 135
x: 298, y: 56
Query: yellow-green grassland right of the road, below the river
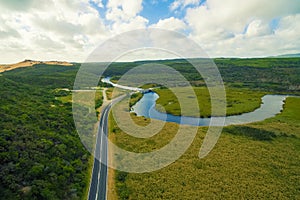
x: 241, y: 166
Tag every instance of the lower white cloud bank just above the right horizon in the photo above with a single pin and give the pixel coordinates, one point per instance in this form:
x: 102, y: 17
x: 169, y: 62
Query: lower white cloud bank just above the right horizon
x: 285, y: 39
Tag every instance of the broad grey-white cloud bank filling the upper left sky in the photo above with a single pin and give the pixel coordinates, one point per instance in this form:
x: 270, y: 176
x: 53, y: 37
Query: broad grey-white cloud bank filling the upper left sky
x: 47, y: 30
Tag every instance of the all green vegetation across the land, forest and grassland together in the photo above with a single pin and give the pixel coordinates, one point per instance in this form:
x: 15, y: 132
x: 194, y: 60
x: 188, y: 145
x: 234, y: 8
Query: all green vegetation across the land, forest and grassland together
x: 42, y: 156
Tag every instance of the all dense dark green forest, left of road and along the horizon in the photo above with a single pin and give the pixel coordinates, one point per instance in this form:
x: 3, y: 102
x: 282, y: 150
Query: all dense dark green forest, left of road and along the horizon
x: 41, y: 154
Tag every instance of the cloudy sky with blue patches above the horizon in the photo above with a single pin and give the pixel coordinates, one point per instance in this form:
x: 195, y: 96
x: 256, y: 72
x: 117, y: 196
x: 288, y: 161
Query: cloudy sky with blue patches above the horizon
x: 70, y: 30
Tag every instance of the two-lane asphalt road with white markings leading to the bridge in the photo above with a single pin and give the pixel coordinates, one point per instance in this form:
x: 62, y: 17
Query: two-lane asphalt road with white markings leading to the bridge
x: 98, y: 187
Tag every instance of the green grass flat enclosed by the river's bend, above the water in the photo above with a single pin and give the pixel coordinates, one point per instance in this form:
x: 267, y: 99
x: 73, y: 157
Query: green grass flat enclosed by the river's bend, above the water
x: 239, y: 100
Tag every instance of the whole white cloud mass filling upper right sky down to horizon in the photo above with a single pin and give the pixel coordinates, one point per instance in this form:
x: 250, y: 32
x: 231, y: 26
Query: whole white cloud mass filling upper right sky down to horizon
x: 243, y: 28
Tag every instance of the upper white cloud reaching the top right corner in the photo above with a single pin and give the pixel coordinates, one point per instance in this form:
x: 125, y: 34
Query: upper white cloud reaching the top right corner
x: 234, y: 15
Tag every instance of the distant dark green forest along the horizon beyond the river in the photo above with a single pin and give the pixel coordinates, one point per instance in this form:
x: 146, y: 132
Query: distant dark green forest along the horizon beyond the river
x: 269, y: 74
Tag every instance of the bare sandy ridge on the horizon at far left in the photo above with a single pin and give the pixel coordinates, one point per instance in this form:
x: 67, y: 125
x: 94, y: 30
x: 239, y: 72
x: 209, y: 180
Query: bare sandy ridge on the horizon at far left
x: 30, y: 63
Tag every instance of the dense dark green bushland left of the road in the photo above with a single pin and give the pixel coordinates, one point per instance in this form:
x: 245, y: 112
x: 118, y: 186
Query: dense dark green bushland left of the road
x: 41, y: 155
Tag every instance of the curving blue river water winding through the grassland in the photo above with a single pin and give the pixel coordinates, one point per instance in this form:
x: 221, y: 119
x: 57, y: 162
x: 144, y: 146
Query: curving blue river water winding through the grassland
x: 271, y: 105
